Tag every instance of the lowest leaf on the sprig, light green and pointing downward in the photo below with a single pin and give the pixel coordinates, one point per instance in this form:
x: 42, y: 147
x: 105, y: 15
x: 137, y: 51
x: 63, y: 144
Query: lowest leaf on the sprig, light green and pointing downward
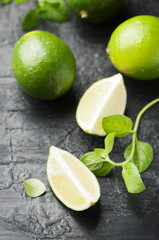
x: 132, y: 178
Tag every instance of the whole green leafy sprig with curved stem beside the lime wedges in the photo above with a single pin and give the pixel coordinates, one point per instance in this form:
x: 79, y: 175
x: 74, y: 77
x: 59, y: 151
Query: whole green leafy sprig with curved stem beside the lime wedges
x: 138, y: 155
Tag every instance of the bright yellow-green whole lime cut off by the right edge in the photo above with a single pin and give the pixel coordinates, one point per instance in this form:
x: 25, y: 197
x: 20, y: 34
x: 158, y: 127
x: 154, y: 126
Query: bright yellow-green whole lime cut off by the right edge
x: 134, y: 47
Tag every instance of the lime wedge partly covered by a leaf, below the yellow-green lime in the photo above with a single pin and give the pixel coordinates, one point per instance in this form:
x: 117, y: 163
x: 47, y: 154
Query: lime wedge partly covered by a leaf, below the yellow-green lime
x: 105, y: 97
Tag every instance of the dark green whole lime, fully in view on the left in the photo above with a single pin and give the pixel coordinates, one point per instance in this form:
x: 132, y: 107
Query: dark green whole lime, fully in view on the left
x: 43, y: 65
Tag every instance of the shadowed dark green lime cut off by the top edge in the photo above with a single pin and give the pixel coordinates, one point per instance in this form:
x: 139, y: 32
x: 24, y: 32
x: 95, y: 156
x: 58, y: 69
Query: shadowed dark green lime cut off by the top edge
x: 95, y: 11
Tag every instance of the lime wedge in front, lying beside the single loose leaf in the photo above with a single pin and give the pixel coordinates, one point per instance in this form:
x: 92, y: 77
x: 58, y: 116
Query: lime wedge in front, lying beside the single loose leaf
x: 71, y: 181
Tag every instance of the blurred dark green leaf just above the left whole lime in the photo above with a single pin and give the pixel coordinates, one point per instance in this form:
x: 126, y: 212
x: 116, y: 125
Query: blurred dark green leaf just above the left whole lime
x: 30, y: 20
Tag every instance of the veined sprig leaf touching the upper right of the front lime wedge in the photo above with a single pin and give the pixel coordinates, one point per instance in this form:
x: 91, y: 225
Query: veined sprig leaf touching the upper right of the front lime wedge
x: 96, y: 164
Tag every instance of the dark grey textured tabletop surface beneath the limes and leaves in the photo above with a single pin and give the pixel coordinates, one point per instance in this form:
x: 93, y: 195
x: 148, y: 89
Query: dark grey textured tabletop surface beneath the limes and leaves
x: 28, y: 127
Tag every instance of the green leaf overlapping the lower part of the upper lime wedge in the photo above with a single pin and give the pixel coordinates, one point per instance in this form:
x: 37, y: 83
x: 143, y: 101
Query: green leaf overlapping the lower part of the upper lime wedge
x: 118, y: 124
